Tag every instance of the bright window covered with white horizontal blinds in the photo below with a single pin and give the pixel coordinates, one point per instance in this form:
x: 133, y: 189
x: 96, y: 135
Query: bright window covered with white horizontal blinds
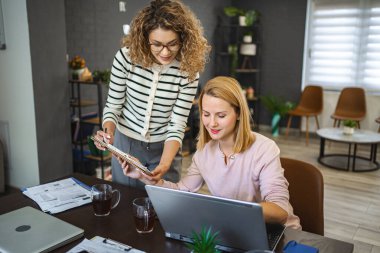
x: 343, y: 44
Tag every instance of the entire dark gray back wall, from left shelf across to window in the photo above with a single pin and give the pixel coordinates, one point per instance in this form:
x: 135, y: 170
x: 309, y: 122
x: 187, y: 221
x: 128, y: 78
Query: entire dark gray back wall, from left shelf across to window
x: 94, y: 30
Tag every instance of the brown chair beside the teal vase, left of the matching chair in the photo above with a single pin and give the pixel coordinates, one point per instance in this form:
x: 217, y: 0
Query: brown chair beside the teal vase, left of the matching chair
x: 310, y: 105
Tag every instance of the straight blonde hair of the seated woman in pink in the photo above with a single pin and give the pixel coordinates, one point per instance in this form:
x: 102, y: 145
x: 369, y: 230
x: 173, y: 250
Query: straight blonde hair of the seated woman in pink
x: 228, y: 89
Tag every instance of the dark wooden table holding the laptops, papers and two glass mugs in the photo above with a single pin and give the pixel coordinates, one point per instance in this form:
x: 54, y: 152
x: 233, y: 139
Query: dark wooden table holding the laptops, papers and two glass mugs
x: 119, y: 225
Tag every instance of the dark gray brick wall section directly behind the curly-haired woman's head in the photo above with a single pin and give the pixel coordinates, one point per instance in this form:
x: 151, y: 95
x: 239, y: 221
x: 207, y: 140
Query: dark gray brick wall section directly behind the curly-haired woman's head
x: 94, y: 27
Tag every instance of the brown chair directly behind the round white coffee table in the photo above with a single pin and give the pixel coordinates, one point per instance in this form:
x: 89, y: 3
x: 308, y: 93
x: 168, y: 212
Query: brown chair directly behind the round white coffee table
x: 351, y: 106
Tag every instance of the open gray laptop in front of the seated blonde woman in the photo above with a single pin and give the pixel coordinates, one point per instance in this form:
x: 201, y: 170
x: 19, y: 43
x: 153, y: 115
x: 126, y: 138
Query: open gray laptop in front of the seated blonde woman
x: 240, y: 224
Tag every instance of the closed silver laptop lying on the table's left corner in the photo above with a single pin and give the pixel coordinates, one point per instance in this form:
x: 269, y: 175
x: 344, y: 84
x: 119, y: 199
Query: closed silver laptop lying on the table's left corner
x: 30, y: 230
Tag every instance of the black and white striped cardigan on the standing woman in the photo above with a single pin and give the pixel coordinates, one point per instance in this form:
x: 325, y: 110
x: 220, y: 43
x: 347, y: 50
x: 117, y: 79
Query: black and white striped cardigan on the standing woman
x: 149, y: 105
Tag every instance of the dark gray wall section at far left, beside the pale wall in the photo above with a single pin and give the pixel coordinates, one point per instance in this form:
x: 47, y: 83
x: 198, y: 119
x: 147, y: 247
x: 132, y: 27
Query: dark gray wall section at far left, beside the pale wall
x: 51, y: 91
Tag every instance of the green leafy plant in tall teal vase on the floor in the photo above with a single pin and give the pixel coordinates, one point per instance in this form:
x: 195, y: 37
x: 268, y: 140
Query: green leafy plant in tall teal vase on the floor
x: 278, y: 108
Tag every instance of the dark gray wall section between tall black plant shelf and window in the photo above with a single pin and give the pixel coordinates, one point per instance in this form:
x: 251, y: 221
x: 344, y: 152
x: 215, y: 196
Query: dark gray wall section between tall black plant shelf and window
x: 283, y: 31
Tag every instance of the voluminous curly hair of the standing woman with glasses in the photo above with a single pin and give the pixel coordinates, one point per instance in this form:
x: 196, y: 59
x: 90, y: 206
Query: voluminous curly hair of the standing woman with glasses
x: 169, y: 15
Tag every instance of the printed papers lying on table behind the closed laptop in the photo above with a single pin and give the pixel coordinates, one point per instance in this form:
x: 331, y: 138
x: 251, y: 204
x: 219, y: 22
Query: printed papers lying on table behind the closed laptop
x: 59, y: 196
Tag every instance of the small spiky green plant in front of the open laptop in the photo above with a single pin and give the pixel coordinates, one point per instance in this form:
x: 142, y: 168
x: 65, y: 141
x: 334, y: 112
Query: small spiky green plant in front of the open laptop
x: 203, y: 242
